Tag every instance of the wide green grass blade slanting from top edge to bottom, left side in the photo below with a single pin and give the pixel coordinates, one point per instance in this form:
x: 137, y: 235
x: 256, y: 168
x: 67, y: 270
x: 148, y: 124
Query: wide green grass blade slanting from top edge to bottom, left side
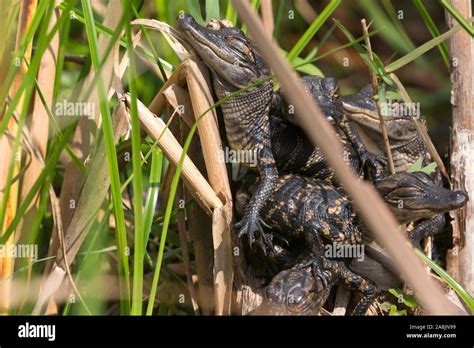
x: 111, y: 161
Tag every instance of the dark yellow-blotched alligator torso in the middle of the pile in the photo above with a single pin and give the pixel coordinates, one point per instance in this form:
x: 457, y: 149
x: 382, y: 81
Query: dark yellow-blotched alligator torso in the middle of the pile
x: 308, y: 208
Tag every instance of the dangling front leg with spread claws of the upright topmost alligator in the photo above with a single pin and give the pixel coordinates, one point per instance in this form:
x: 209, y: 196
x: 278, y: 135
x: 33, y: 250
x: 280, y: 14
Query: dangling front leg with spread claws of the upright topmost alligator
x: 251, y: 223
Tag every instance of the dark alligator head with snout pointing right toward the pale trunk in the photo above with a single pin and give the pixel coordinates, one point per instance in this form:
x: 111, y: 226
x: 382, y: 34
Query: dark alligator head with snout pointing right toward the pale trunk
x: 414, y: 196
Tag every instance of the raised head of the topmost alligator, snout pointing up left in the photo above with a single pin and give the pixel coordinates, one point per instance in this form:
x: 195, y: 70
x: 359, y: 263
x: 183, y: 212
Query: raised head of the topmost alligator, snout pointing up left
x: 226, y: 51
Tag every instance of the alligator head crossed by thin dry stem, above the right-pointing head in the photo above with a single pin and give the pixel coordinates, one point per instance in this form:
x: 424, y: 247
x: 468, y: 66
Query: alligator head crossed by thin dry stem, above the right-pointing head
x: 405, y: 142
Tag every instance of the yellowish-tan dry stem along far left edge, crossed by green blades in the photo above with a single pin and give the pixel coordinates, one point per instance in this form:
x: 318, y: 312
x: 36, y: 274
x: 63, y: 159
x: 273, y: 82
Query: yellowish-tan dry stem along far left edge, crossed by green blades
x: 27, y: 9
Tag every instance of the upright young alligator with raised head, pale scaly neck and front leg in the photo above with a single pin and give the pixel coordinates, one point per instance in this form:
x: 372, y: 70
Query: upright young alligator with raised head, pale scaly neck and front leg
x: 235, y: 64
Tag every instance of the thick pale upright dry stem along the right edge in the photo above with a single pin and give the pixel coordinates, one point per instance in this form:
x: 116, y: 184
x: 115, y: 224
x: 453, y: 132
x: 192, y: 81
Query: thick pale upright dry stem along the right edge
x: 460, y: 260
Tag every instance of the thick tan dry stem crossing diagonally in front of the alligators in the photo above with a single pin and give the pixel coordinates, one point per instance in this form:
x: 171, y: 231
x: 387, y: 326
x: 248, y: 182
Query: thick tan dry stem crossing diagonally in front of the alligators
x: 375, y: 213
